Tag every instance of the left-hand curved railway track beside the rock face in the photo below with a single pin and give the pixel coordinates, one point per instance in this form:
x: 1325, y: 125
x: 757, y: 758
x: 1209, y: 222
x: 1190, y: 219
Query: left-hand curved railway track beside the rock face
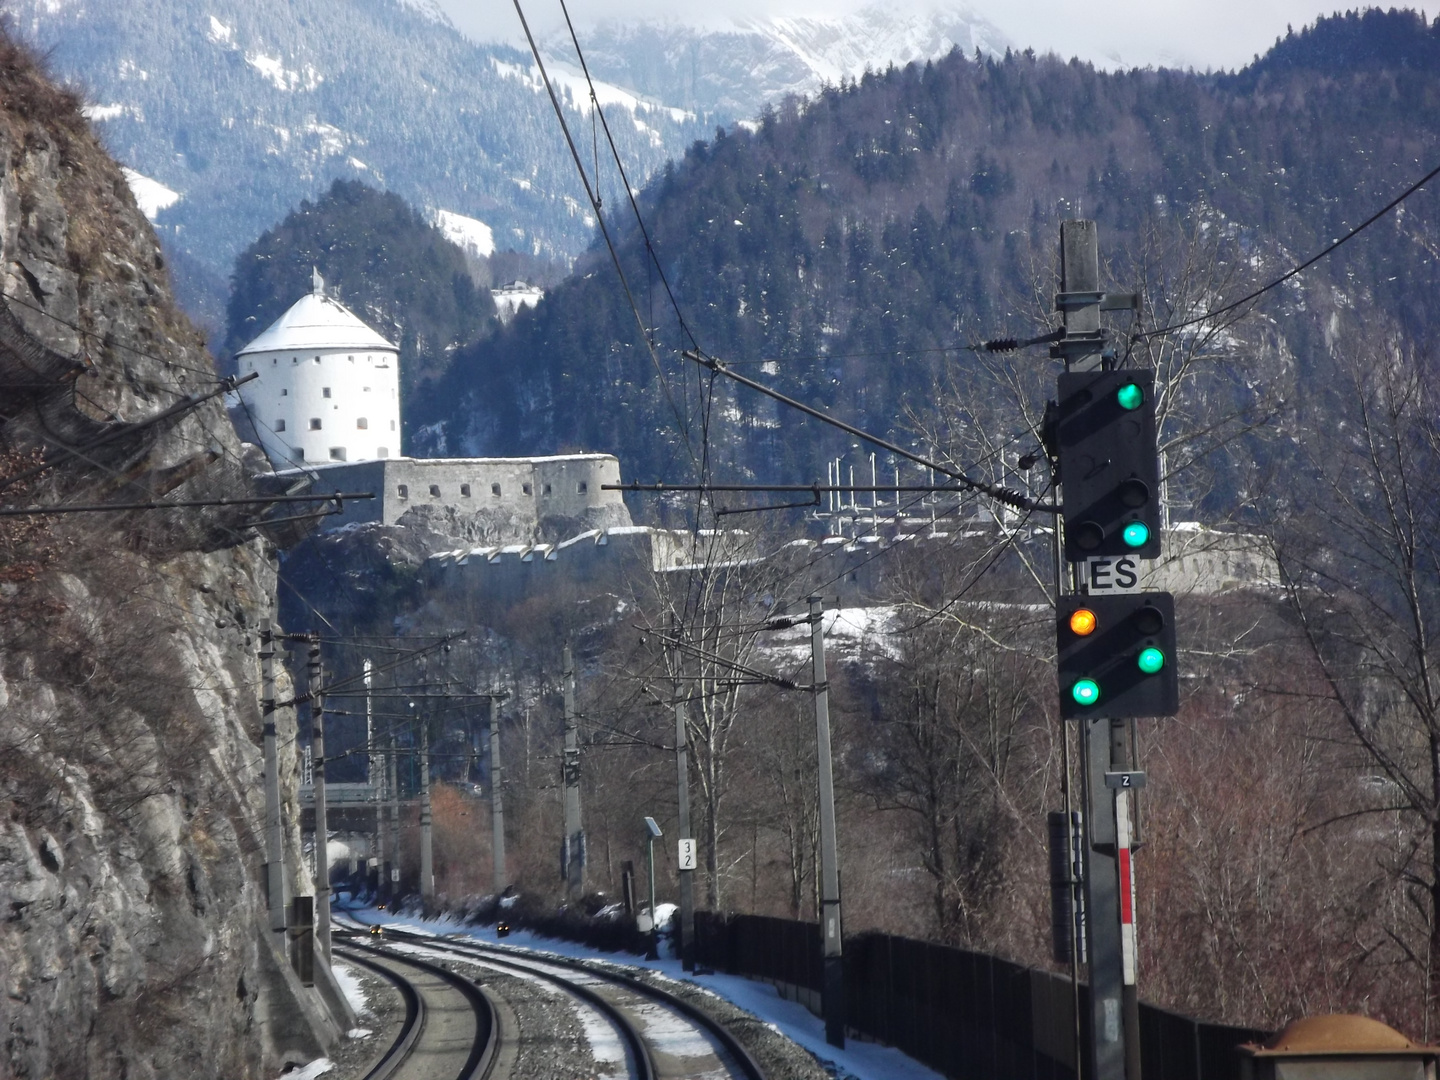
x: 450, y: 1025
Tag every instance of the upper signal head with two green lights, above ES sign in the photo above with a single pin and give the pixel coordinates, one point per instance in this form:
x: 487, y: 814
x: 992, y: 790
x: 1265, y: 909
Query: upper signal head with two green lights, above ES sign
x: 1110, y: 464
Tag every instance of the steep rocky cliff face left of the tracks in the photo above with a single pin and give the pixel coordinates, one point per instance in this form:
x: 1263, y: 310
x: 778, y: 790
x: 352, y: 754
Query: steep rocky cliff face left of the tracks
x: 130, y: 774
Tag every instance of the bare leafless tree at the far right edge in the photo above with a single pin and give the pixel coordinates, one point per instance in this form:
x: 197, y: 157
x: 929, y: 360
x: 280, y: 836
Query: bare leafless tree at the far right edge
x: 1357, y: 546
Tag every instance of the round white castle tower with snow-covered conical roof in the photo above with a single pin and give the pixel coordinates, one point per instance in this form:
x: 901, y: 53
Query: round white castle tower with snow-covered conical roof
x: 329, y: 387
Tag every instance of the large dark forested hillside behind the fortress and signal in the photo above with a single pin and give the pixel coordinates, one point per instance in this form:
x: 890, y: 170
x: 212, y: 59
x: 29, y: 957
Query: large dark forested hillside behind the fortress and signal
x: 860, y: 240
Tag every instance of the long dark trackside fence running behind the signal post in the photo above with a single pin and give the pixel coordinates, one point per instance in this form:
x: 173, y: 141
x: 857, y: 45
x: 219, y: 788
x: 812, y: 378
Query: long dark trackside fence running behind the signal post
x: 966, y: 1014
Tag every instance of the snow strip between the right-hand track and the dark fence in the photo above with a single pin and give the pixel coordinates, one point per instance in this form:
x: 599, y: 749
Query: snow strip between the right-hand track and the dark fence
x: 856, y: 1062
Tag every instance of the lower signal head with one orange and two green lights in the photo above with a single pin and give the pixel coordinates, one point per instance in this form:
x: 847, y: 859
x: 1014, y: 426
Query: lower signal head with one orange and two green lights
x: 1117, y: 656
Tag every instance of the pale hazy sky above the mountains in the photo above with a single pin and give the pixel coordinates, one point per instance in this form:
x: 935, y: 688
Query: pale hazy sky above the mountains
x: 1200, y: 34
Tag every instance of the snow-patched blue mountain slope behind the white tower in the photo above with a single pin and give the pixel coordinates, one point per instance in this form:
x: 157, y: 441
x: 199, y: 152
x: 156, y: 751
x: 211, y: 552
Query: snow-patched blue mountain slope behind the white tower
x: 230, y: 113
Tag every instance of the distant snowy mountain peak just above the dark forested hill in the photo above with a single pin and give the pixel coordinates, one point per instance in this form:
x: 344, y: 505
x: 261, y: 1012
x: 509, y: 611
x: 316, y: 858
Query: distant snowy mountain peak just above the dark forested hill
x: 738, y: 70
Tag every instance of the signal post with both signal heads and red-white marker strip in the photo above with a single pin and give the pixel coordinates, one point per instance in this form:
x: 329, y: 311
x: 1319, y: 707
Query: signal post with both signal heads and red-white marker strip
x: 1115, y: 646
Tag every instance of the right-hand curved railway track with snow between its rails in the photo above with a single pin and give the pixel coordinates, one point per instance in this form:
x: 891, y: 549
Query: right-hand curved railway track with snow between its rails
x: 665, y: 1038
